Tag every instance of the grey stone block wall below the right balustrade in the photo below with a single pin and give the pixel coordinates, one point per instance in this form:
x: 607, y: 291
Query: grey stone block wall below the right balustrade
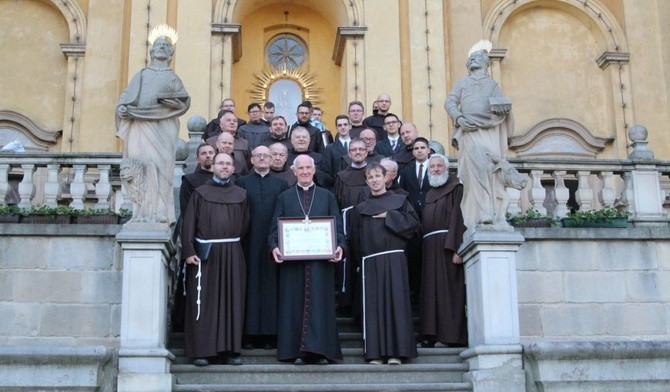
x: 594, y: 284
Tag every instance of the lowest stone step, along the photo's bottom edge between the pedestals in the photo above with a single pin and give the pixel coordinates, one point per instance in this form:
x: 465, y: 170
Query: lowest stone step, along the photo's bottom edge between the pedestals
x: 368, y: 387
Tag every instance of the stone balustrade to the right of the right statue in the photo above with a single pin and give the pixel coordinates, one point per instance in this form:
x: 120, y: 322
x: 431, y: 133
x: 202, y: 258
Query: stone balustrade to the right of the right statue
x: 557, y: 185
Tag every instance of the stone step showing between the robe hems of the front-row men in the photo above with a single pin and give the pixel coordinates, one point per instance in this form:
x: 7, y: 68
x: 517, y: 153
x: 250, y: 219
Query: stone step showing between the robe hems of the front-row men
x: 351, y: 356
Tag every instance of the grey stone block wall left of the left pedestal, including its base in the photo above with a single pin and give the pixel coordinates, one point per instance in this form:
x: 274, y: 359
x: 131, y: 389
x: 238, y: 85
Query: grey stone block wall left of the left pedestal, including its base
x: 60, y: 306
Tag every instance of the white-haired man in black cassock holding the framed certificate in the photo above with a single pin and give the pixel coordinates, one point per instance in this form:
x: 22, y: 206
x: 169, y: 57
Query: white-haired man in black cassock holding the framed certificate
x: 308, y: 332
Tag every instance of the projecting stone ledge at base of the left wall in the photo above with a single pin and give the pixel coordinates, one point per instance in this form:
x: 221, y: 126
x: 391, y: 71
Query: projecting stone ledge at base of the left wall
x: 53, y: 367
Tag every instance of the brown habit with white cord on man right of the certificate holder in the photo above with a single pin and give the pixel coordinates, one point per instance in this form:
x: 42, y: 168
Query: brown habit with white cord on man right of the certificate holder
x: 380, y: 245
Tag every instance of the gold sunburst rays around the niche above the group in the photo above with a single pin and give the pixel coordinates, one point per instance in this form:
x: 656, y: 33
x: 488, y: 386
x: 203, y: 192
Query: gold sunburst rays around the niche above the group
x: 261, y: 87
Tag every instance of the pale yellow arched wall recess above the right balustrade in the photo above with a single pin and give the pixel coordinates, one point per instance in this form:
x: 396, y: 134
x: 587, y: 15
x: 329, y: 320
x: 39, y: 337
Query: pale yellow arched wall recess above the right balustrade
x: 550, y: 71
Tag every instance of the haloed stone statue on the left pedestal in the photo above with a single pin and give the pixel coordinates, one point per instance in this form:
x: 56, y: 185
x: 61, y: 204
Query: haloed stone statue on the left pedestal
x: 147, y: 120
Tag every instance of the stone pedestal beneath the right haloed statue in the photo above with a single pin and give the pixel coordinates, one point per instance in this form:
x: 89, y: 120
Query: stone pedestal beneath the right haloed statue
x: 494, y: 355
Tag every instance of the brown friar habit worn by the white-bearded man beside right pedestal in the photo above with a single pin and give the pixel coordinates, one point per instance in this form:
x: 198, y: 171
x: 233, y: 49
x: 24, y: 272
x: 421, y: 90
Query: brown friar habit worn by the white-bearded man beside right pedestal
x: 443, y: 282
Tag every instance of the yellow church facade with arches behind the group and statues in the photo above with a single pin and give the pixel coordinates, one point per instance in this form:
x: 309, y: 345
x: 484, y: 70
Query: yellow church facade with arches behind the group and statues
x: 588, y: 69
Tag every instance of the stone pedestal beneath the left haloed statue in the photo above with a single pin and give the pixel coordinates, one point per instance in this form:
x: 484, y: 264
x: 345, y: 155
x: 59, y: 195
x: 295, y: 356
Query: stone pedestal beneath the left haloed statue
x: 144, y: 361
